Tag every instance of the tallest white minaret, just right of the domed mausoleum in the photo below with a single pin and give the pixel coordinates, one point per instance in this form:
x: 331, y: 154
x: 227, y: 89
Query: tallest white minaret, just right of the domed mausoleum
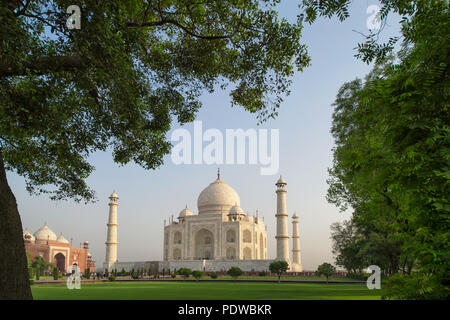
x: 282, y: 224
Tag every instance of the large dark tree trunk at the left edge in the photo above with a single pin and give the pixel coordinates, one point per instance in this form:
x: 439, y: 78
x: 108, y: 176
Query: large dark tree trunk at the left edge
x: 14, y: 277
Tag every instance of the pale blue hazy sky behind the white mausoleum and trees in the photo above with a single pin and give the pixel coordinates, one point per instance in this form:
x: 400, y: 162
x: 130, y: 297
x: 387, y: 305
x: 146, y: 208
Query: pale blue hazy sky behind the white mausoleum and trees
x: 146, y: 198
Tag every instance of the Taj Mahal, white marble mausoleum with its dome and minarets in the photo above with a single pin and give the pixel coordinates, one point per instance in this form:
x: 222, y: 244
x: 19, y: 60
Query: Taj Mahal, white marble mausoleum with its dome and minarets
x: 218, y: 237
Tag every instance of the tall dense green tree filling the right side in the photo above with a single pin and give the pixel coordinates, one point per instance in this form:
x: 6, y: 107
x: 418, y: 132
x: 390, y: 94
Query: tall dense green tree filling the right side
x: 390, y: 164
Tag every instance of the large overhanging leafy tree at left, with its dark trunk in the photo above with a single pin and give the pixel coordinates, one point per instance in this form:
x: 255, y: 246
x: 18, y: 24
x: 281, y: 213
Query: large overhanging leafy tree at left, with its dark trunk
x: 117, y: 82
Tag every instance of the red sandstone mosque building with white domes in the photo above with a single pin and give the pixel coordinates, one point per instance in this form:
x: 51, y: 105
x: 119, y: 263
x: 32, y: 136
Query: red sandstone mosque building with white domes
x: 57, y: 250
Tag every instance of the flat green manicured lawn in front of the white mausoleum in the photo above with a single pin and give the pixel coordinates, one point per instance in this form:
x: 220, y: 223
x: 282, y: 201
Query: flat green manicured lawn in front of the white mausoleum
x: 168, y: 290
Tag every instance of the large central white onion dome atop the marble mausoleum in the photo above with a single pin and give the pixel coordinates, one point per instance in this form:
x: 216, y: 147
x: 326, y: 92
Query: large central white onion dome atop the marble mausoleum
x: 217, y: 198
